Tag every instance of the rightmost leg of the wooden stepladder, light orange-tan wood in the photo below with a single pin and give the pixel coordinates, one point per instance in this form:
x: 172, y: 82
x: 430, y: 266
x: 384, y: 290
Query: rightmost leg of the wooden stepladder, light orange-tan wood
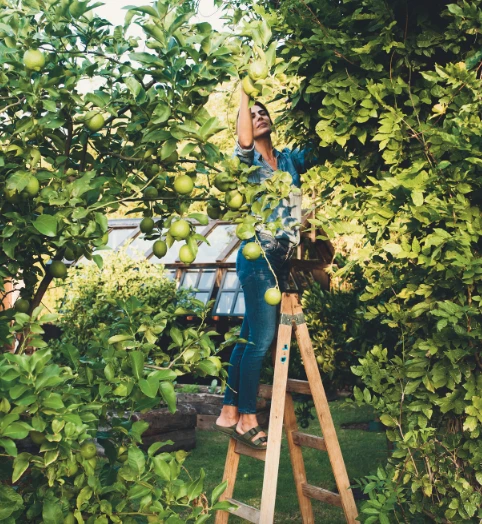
x: 324, y: 417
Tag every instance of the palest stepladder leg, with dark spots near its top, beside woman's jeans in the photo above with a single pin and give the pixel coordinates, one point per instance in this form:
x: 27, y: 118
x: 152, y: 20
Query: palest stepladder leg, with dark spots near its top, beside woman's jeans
x: 270, y: 482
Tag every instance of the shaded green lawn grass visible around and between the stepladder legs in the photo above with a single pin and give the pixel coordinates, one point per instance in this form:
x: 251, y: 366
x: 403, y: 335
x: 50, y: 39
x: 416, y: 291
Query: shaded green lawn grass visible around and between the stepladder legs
x: 363, y: 451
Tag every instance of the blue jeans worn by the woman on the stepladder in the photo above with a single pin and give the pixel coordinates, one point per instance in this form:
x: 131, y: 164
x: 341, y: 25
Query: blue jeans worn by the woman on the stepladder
x: 260, y: 320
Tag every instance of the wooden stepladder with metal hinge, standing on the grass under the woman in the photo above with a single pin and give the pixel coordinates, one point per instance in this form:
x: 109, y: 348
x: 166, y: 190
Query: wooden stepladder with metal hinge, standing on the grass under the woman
x: 282, y: 411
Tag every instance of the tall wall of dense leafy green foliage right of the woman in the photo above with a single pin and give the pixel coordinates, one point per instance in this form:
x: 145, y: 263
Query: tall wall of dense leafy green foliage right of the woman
x: 392, y: 93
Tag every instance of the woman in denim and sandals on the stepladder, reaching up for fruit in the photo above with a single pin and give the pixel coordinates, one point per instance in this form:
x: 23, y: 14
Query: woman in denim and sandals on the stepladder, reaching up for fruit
x: 254, y: 147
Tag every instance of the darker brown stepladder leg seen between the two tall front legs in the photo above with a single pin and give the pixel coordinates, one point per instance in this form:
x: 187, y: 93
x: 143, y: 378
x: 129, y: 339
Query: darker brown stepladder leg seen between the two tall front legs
x: 297, y: 463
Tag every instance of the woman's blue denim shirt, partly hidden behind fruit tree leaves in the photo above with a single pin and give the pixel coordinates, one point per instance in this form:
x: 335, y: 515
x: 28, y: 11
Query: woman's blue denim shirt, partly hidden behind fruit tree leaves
x: 294, y: 162
